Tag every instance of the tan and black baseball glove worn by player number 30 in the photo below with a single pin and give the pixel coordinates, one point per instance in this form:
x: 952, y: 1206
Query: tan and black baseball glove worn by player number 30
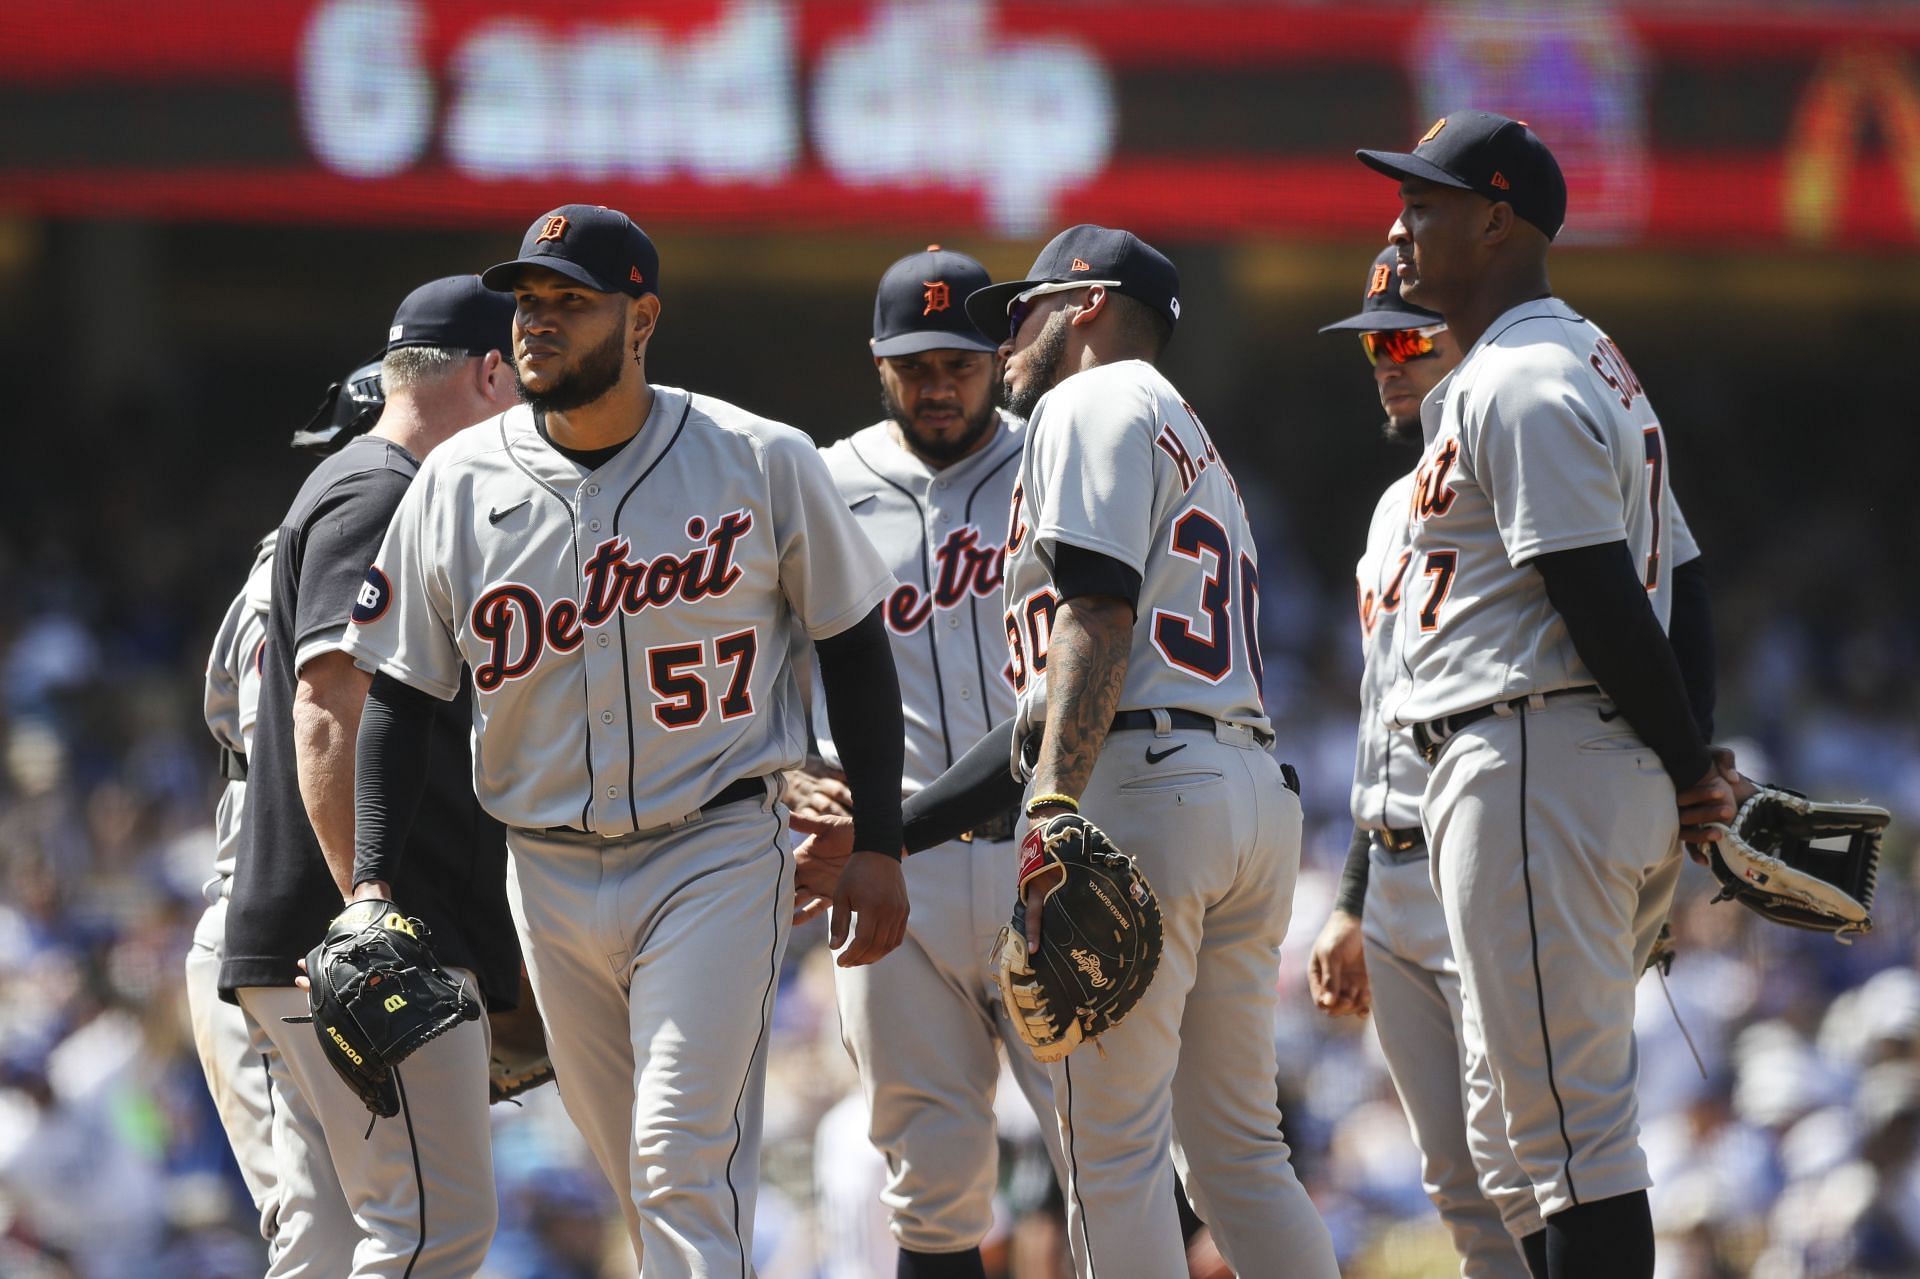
x: 1099, y: 940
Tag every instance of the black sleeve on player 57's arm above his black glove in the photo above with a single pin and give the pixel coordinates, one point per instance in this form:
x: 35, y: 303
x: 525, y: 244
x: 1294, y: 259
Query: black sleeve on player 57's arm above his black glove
x: 389, y: 775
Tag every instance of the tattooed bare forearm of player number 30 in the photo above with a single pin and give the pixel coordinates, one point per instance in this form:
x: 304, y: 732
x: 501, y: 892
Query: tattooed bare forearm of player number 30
x: 1086, y: 671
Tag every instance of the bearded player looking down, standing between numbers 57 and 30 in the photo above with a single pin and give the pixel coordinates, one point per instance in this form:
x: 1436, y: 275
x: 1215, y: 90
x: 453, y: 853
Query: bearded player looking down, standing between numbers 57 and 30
x: 930, y: 485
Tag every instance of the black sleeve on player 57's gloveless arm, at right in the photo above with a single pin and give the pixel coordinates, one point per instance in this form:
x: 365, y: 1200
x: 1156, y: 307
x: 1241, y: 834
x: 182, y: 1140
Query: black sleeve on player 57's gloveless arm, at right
x: 863, y: 694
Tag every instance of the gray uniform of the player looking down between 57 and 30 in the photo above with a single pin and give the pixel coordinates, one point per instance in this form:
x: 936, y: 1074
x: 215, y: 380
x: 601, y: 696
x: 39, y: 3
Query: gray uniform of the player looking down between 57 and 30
x: 930, y: 1096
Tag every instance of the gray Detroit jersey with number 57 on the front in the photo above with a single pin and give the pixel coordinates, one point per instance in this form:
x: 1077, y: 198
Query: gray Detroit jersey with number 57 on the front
x: 602, y: 700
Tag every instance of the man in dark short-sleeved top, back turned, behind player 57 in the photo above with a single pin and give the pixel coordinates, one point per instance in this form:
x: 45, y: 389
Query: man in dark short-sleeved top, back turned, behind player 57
x: 412, y: 1195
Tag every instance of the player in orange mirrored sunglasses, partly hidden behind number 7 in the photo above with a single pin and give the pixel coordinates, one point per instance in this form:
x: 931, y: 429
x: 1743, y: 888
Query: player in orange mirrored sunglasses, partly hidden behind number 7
x: 1399, y: 963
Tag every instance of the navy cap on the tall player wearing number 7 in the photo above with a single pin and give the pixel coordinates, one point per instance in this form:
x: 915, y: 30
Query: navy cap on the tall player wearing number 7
x: 1491, y: 157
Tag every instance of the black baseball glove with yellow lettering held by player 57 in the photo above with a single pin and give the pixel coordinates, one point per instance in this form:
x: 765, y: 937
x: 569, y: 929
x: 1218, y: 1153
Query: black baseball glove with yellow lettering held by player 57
x: 377, y: 996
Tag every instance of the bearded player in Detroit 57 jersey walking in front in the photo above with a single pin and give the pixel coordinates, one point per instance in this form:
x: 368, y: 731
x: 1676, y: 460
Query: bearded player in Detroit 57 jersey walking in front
x: 623, y: 569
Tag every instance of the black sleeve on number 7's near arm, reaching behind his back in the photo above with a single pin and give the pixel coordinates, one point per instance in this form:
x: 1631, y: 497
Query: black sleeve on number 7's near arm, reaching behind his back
x: 1612, y: 625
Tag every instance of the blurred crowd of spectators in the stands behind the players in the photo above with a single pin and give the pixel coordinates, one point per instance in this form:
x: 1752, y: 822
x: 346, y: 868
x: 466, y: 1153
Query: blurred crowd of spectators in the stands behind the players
x: 1781, y: 1073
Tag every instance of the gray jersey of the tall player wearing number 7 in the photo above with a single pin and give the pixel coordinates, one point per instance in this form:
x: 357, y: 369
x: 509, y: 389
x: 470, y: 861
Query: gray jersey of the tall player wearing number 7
x: 1543, y: 441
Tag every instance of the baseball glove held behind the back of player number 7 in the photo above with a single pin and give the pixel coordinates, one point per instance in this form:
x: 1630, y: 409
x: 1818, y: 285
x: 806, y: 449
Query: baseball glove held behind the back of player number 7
x: 1783, y: 859
